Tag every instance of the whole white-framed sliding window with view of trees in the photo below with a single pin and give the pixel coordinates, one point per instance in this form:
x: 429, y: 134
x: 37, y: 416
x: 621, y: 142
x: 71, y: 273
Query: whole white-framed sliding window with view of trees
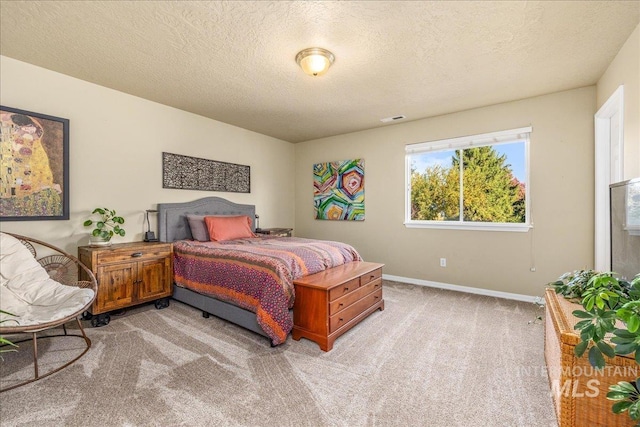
x: 474, y: 182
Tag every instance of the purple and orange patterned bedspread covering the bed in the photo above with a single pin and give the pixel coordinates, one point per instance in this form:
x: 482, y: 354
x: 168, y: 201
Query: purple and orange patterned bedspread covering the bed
x: 257, y: 273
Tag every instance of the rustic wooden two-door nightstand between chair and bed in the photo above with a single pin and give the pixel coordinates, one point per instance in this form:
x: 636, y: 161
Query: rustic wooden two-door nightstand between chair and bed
x: 128, y: 274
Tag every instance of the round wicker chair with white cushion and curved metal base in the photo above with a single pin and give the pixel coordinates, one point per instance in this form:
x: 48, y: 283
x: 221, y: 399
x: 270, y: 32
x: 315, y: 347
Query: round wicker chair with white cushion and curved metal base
x: 64, y: 297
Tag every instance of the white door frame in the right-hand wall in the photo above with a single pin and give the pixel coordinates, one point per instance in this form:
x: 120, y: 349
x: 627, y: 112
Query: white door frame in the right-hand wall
x: 609, y: 125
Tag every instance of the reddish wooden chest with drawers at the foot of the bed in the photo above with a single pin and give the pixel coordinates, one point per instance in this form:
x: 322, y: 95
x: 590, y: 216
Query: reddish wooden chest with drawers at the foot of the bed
x: 331, y: 302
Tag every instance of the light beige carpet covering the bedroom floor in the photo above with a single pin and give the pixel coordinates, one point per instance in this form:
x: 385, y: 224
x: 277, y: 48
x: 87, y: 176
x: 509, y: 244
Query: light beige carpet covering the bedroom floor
x: 431, y: 358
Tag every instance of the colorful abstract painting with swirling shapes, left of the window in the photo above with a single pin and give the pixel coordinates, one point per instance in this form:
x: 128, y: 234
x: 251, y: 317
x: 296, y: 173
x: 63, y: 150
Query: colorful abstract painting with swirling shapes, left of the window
x: 338, y: 190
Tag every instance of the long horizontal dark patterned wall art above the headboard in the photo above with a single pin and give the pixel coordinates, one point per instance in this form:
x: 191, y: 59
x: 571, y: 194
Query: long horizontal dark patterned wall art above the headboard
x: 194, y: 173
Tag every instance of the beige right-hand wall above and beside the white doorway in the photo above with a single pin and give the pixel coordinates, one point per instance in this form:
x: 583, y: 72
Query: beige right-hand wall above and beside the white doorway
x: 625, y: 70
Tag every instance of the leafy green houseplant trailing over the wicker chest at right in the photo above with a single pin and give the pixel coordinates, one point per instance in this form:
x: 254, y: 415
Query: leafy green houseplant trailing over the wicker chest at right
x: 610, y: 326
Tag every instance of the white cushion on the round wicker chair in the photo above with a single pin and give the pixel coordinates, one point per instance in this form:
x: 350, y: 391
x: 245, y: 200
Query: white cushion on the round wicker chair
x: 27, y: 291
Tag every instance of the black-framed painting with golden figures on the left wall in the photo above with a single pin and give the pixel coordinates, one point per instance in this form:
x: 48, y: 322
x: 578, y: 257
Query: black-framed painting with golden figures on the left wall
x: 34, y: 166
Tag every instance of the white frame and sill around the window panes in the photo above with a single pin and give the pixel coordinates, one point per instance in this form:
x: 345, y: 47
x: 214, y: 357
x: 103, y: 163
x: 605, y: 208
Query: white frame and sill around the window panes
x: 485, y: 139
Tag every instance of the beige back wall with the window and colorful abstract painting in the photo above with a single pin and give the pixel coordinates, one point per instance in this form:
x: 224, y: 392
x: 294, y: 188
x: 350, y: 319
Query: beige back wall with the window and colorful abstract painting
x: 562, y: 158
